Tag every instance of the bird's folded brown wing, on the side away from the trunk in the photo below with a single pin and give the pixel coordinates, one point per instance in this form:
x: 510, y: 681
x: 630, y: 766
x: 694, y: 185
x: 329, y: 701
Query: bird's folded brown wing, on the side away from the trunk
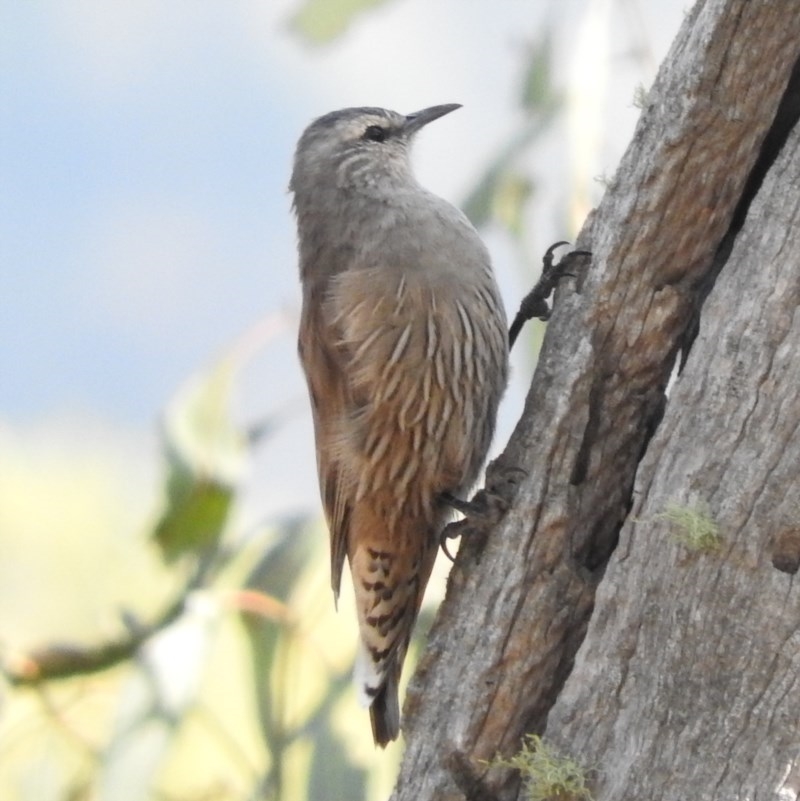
x: 353, y: 331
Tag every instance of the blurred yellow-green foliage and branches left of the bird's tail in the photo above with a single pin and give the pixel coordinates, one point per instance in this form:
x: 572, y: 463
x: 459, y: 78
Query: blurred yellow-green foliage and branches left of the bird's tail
x: 176, y: 714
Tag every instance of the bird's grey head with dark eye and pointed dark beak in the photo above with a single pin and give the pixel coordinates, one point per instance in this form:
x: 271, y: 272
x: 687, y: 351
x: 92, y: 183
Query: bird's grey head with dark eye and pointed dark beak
x: 358, y: 148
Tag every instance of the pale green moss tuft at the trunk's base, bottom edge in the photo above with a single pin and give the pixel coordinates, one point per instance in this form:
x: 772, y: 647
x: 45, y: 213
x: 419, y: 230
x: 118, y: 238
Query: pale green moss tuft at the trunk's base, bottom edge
x: 547, y: 774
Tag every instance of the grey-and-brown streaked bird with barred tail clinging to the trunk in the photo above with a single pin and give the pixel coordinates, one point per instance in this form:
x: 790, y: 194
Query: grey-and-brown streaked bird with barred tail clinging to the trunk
x: 404, y: 346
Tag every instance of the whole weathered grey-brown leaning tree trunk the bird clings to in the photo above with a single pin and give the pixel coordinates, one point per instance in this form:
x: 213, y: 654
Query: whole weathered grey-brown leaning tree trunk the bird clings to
x: 668, y: 670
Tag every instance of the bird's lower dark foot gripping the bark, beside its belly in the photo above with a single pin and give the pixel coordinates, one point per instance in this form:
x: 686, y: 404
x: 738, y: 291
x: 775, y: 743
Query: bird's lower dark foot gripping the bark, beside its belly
x: 486, y: 508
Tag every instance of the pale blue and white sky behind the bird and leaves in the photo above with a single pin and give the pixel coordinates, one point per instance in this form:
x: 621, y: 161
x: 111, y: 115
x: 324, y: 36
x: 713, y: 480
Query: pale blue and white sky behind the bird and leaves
x: 145, y: 224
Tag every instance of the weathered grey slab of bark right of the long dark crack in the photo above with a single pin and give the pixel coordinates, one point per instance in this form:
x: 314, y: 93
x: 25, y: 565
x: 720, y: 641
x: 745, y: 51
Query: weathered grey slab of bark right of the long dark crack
x: 688, y: 681
